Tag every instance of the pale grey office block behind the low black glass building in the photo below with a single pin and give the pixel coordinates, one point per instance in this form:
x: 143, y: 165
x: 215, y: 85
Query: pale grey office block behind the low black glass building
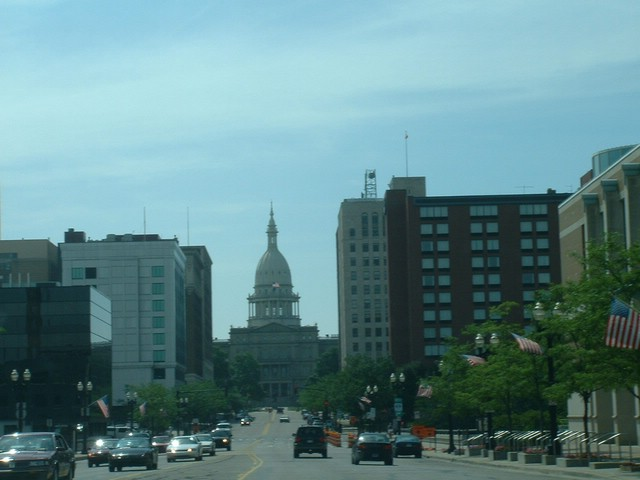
x: 144, y: 276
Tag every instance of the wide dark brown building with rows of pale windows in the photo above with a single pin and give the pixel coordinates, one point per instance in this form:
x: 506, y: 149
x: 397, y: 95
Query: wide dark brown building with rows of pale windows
x: 450, y: 259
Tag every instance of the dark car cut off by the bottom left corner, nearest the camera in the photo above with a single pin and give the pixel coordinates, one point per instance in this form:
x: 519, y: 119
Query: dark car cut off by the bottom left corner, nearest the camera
x: 36, y: 455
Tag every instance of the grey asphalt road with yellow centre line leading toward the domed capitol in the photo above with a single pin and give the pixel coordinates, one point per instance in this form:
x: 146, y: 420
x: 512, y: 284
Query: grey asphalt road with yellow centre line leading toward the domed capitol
x: 263, y: 451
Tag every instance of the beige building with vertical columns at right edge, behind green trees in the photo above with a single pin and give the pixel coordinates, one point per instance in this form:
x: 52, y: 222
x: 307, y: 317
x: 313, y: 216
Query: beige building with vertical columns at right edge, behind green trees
x: 608, y: 201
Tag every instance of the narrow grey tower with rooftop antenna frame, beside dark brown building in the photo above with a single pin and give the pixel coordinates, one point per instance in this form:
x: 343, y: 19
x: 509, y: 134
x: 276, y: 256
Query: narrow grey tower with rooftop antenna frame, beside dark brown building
x: 361, y: 247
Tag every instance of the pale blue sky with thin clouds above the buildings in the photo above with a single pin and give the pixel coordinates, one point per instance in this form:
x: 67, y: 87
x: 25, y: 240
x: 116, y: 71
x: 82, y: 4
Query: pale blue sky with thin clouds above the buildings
x: 190, y: 118
